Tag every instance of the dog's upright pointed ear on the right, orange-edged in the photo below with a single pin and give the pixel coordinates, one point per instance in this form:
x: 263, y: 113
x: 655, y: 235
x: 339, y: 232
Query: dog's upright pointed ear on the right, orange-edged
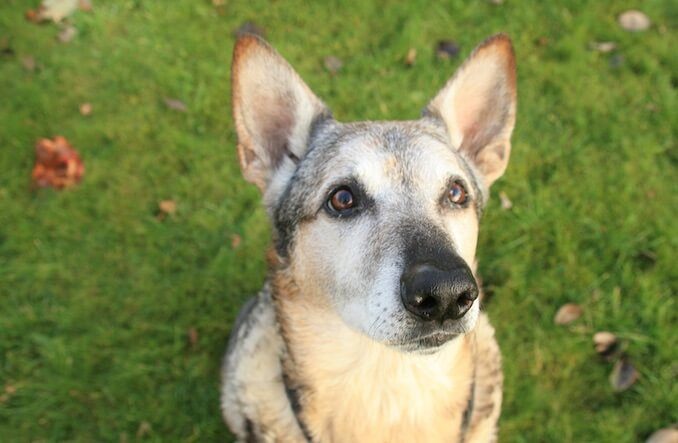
x: 478, y: 106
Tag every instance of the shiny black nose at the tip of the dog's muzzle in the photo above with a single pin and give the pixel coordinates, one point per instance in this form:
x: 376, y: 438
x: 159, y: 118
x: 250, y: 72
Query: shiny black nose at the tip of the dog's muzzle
x: 434, y: 294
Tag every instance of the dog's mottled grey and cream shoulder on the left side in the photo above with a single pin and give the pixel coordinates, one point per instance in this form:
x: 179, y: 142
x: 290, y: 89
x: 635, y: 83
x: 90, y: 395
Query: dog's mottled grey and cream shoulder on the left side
x: 253, y: 397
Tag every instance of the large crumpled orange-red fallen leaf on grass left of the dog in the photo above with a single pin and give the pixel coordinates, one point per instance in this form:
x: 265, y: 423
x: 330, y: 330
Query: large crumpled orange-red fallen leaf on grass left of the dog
x: 57, y: 164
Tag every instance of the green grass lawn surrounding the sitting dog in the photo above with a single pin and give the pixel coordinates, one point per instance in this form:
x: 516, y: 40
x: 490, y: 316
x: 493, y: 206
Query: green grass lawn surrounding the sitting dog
x: 97, y: 295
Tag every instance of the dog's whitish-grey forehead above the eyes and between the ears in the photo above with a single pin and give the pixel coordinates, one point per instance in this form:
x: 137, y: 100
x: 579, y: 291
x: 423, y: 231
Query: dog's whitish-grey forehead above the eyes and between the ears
x: 384, y: 155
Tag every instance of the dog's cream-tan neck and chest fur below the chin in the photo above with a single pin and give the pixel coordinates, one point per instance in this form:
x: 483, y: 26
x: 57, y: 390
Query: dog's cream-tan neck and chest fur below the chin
x: 344, y: 380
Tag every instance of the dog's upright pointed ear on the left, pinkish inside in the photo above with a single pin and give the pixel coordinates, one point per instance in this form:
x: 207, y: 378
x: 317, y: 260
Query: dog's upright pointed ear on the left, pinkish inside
x: 273, y: 109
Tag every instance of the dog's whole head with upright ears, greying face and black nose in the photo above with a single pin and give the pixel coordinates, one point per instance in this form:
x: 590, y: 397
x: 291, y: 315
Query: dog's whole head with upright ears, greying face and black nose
x: 378, y: 221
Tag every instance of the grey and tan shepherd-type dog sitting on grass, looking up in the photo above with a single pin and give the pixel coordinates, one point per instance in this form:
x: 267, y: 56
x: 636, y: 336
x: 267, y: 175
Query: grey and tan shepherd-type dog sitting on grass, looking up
x: 368, y: 328
